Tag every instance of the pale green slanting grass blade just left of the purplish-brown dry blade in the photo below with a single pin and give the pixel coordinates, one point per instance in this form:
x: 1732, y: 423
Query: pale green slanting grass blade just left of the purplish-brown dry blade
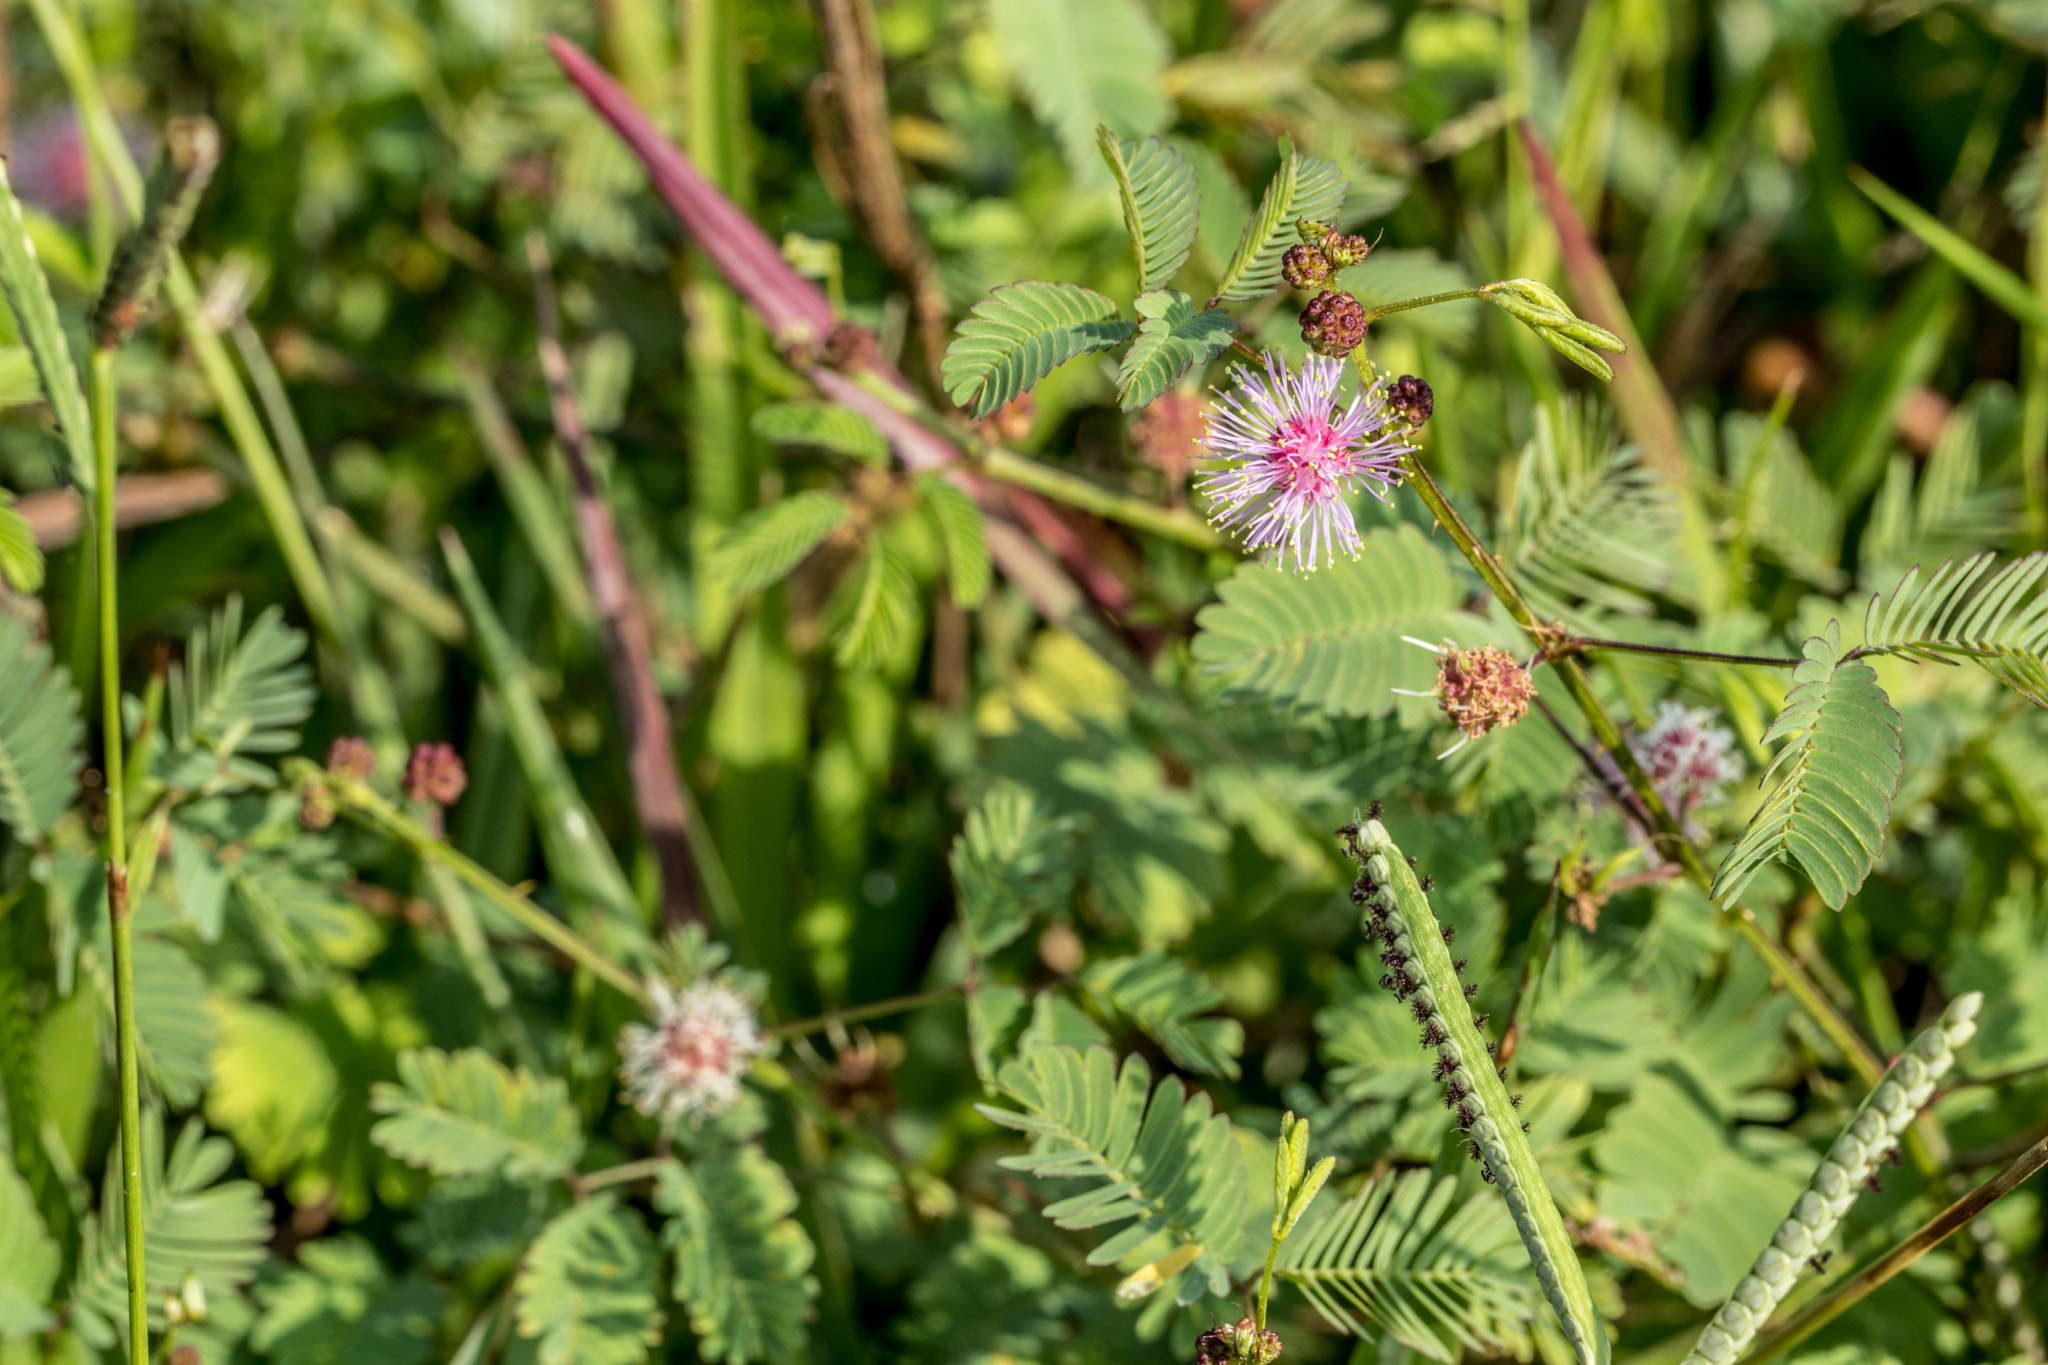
x: 577, y: 850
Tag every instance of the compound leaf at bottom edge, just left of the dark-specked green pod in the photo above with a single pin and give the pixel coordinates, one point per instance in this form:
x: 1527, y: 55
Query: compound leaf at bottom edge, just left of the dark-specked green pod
x: 1443, y: 1276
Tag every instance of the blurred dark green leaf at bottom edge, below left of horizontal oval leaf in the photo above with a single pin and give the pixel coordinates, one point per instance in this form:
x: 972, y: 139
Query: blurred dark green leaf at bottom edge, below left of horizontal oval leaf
x: 339, y: 1307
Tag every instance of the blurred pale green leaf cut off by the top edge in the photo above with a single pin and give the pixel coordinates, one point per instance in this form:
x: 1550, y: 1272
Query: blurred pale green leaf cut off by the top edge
x: 1084, y: 64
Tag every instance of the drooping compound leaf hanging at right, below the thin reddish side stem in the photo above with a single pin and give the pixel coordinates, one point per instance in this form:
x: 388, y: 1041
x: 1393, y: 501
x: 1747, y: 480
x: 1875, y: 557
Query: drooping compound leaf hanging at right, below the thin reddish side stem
x: 1838, y: 777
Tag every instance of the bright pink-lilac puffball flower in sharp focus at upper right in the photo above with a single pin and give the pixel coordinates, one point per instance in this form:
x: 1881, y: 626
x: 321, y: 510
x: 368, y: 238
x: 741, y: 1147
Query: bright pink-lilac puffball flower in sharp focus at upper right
x: 1283, y: 457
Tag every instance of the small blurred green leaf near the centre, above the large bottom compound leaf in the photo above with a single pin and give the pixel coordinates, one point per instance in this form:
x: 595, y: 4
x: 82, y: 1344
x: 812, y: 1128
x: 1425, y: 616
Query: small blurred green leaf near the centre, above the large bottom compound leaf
x: 1009, y: 867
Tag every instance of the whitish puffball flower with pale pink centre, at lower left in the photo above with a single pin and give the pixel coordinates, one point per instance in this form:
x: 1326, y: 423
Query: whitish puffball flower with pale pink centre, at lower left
x: 691, y: 1063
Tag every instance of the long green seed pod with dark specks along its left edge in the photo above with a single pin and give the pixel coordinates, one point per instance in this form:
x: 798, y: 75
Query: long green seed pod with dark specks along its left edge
x: 1424, y: 975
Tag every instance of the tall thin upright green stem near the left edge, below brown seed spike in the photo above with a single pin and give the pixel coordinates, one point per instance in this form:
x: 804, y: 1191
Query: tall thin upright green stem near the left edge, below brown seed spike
x: 118, y: 899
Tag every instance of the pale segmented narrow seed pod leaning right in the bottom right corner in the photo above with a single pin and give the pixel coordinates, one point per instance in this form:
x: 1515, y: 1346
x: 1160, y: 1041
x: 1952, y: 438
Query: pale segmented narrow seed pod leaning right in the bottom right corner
x: 1844, y: 1172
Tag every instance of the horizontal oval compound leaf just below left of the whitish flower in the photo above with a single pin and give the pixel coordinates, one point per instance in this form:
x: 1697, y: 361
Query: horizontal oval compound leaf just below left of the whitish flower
x: 468, y: 1114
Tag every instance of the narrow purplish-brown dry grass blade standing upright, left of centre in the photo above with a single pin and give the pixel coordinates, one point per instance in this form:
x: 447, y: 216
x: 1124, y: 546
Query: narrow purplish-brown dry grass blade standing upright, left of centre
x: 624, y: 623
